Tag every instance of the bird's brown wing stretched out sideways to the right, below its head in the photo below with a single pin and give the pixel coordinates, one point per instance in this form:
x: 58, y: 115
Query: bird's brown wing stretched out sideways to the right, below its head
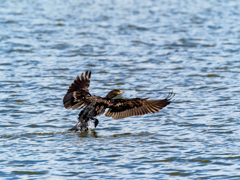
x: 121, y: 108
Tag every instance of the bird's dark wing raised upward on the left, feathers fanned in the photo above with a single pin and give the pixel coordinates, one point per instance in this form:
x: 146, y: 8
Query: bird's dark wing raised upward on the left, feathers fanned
x: 78, y: 94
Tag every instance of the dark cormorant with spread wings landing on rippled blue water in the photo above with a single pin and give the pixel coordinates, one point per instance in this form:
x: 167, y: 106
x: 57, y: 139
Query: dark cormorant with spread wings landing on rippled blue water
x: 78, y: 96
